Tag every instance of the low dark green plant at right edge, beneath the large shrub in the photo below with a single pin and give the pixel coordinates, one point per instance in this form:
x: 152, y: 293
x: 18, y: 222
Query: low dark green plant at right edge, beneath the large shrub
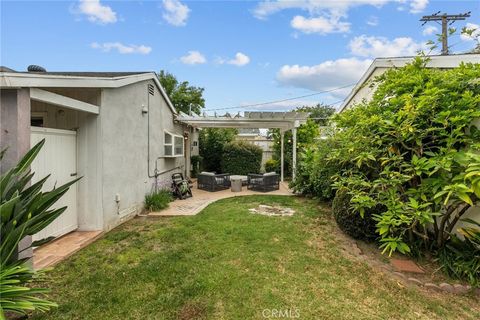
x: 461, y: 258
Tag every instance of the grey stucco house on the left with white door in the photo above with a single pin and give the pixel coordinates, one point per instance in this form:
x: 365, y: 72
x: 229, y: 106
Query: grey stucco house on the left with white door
x: 116, y: 130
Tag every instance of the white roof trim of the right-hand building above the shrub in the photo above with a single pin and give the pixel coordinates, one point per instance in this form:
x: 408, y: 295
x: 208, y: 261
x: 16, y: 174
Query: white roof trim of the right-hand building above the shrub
x: 446, y: 62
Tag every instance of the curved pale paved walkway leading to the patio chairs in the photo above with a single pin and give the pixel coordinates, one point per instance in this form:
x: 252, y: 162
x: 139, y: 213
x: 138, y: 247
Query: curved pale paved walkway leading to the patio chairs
x: 202, y: 198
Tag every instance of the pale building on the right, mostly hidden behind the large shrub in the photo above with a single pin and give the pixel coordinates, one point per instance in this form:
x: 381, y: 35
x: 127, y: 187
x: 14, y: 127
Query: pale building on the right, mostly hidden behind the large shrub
x: 363, y: 90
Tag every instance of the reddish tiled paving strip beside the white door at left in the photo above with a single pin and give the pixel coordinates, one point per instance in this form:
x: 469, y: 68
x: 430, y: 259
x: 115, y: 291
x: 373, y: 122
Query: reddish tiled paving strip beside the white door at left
x: 63, y: 247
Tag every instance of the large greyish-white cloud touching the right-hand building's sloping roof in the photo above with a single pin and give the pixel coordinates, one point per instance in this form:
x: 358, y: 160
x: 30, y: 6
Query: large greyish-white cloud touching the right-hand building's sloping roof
x: 324, y: 76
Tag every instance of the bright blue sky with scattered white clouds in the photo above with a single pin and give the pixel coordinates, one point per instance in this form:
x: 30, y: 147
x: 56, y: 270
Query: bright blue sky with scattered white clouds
x: 241, y: 52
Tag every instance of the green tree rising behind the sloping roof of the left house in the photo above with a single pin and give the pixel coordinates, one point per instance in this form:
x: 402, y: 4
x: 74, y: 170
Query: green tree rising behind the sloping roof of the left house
x: 183, y: 96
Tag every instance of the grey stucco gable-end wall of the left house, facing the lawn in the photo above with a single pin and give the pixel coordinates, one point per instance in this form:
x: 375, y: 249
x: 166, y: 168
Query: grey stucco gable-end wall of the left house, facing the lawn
x: 124, y: 140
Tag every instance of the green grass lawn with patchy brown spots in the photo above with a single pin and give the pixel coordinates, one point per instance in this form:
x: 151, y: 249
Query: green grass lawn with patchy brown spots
x: 226, y: 263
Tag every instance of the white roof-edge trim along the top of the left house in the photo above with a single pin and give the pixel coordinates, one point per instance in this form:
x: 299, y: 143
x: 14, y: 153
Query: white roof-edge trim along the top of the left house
x: 33, y: 80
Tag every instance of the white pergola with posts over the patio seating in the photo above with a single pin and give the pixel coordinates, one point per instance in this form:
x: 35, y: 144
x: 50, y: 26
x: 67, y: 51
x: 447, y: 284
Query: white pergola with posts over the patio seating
x: 268, y: 120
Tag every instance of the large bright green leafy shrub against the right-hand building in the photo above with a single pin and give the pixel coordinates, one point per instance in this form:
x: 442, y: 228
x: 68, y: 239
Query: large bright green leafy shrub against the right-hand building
x: 413, y: 147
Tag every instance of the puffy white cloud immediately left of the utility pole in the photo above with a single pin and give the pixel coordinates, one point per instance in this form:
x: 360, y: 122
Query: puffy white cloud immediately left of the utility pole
x: 370, y: 46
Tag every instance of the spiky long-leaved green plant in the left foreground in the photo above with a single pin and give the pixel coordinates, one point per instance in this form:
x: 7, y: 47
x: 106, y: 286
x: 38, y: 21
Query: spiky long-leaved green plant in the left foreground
x: 24, y: 211
